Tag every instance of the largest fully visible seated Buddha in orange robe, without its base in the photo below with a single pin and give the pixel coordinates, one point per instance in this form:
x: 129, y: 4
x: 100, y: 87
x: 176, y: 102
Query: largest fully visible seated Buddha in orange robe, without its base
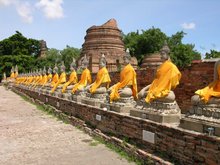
x: 166, y: 79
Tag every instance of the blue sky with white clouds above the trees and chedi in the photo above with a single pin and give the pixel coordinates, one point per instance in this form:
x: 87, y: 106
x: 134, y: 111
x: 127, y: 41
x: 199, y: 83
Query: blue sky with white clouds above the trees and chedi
x: 64, y: 22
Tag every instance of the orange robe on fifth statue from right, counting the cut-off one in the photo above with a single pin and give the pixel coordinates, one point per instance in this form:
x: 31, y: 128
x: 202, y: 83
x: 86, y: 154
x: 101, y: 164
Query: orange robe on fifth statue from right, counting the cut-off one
x: 85, y: 79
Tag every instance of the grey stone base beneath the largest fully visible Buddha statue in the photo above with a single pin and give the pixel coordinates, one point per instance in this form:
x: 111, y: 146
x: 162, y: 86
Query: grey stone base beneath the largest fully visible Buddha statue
x: 158, y: 111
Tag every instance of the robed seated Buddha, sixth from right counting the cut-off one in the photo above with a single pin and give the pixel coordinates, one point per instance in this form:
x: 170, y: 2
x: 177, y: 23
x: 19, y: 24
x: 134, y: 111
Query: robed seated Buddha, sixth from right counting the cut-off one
x: 72, y: 79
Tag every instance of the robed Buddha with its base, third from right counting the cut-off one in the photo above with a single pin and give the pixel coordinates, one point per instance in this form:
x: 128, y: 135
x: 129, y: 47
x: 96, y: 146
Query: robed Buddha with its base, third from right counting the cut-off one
x: 123, y: 93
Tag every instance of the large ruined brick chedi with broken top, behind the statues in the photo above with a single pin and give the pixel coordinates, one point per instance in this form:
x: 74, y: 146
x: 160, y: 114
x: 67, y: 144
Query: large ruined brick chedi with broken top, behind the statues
x: 105, y: 39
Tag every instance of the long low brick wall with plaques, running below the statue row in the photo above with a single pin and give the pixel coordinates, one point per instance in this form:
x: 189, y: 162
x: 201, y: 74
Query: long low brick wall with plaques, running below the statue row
x: 188, y: 147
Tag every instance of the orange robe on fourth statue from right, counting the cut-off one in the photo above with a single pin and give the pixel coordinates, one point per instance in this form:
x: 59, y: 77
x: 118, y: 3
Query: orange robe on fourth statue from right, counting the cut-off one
x: 102, y: 77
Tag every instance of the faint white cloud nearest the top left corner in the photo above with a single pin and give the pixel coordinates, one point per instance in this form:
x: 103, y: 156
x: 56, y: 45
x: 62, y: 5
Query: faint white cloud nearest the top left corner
x: 25, y: 10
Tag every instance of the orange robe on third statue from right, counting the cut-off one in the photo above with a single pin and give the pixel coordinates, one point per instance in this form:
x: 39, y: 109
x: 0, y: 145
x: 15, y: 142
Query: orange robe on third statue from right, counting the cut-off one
x: 127, y: 77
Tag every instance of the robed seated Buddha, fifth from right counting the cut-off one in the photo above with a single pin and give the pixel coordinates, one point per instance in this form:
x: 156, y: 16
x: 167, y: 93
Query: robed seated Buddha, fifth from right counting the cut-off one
x: 85, y: 79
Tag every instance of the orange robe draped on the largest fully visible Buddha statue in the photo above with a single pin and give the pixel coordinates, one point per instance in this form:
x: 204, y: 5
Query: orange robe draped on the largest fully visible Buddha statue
x: 167, y: 78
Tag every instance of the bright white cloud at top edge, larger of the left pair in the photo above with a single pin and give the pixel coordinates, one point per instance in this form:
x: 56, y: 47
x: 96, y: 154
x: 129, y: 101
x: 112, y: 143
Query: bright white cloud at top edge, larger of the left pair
x: 52, y: 8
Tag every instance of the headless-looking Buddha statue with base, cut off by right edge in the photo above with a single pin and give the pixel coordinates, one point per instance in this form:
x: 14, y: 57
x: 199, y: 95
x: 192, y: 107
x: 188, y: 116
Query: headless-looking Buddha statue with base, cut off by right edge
x: 204, y: 115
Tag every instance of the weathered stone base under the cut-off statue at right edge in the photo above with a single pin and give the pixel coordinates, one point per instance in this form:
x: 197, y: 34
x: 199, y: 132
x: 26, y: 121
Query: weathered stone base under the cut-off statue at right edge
x: 204, y: 118
